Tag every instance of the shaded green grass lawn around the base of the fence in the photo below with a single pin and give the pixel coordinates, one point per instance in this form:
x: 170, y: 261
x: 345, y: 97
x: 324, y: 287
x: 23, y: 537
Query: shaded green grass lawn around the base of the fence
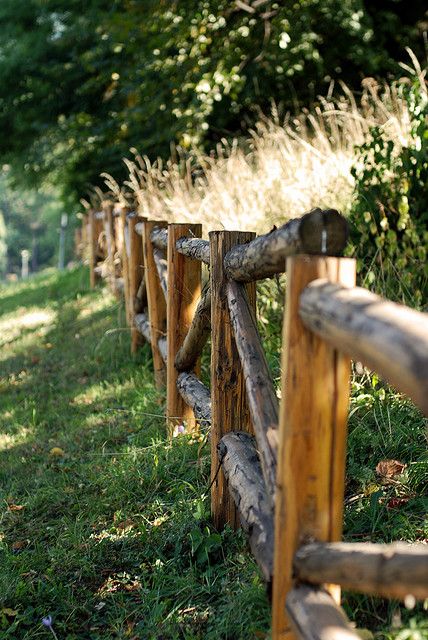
x: 113, y: 538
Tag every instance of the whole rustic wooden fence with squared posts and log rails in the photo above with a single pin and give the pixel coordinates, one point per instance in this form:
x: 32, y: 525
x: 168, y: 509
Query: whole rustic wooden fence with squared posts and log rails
x: 277, y: 467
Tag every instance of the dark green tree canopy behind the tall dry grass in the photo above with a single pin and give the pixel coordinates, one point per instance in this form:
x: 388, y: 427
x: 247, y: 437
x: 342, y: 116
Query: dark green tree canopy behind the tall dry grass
x: 82, y: 82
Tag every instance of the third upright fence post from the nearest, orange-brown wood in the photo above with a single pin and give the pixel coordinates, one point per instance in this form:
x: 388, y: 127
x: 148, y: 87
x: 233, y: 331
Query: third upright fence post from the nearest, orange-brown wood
x: 184, y: 290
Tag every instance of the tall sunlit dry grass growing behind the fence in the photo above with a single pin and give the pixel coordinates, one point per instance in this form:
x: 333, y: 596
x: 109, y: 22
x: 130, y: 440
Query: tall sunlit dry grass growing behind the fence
x: 281, y: 171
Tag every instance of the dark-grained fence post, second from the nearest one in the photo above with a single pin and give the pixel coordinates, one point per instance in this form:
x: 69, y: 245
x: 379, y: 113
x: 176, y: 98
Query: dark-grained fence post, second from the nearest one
x: 229, y: 409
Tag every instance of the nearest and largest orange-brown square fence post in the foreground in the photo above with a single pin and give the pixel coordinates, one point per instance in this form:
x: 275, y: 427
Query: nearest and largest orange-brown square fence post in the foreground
x: 312, y: 433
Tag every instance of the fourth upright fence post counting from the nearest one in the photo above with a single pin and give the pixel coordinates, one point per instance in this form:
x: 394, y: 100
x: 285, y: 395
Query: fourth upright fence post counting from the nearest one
x: 155, y: 302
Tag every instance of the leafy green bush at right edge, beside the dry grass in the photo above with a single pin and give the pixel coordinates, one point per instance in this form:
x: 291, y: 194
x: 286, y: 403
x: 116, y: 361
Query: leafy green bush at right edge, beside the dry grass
x: 390, y: 209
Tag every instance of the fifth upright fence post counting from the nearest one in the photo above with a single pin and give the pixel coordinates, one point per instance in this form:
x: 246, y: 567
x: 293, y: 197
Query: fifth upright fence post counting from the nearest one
x: 136, y: 277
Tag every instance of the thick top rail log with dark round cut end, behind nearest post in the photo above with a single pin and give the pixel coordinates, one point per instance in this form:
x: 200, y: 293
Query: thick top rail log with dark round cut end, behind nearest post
x: 317, y: 232
